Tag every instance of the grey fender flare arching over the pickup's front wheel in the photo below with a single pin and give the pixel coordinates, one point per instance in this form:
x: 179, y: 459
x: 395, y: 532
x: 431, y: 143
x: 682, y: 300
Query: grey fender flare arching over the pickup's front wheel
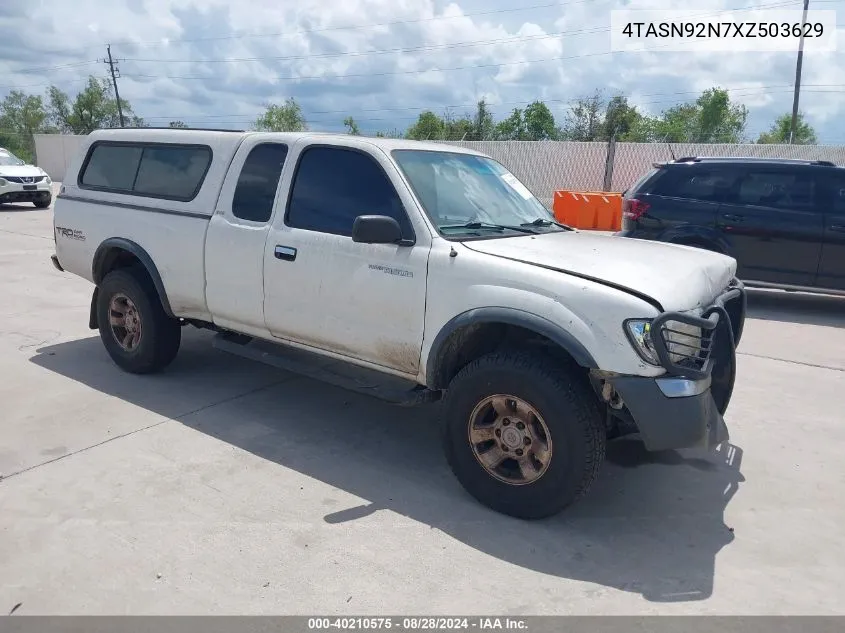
x: 507, y: 316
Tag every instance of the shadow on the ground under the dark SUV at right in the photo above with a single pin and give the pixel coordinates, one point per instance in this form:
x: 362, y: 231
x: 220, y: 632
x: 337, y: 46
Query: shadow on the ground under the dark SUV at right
x: 796, y: 307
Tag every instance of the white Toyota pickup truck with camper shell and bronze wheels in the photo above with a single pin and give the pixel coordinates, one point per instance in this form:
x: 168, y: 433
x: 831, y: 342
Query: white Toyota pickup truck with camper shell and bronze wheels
x: 429, y: 266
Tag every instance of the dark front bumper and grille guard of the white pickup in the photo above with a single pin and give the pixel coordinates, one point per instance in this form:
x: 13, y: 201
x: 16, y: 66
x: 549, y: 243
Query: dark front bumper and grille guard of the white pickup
x: 684, y: 407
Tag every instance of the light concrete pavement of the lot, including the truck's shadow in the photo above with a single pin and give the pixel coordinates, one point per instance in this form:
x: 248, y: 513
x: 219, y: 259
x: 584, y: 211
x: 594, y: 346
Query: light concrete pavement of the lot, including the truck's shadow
x: 222, y: 486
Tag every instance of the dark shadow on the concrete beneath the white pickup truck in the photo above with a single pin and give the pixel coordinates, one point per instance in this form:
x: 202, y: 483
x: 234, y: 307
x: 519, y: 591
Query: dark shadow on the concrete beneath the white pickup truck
x: 653, y: 524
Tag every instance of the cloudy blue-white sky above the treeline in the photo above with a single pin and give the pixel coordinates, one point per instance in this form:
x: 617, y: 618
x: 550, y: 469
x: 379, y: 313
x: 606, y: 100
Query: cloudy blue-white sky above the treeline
x: 217, y: 62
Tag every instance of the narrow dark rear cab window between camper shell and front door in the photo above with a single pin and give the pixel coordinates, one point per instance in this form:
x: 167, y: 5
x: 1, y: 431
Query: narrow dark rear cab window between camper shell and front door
x: 255, y: 192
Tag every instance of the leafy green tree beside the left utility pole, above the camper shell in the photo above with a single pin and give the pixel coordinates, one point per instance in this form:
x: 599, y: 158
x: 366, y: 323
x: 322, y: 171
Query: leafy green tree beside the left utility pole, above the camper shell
x: 93, y: 108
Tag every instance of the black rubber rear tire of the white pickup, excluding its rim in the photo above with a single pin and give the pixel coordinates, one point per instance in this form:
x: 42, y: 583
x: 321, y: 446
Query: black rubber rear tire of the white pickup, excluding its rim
x: 159, y: 336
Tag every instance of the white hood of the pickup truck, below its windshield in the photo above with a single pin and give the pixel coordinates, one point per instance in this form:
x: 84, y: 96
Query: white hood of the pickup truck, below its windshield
x: 679, y: 278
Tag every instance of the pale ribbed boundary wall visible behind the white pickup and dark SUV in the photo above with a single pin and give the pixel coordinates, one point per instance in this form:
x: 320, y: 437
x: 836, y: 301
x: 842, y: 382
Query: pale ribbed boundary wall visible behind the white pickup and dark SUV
x: 545, y: 166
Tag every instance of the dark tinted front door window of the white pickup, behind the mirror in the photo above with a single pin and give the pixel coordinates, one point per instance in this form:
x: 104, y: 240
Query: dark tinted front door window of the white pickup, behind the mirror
x: 334, y: 185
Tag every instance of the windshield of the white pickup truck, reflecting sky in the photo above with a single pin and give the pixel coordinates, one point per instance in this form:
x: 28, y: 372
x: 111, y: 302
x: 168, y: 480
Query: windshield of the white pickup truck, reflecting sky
x: 465, y: 194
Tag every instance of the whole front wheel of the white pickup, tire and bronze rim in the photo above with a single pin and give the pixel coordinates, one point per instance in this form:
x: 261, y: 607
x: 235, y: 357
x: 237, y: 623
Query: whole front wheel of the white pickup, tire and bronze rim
x: 522, y: 434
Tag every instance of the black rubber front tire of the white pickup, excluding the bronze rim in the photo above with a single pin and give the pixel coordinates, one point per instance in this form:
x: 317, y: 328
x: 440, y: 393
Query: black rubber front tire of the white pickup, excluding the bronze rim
x: 569, y: 410
